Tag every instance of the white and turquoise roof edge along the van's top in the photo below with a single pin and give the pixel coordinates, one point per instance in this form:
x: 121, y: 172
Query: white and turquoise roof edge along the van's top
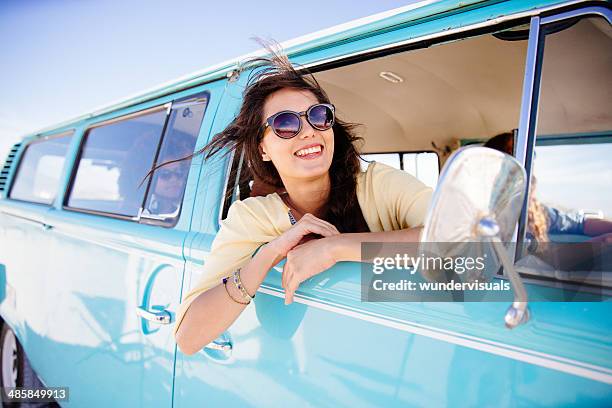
x: 384, y: 21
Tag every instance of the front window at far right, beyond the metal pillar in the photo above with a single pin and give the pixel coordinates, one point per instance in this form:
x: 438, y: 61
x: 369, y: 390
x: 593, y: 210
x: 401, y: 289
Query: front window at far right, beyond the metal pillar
x: 571, y: 199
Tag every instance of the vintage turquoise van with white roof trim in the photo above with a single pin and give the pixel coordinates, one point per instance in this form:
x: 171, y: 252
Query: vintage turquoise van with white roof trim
x: 94, y: 259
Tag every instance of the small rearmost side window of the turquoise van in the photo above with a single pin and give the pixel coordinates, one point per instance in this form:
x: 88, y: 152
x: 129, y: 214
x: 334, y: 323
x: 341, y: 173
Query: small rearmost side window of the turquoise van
x: 40, y: 168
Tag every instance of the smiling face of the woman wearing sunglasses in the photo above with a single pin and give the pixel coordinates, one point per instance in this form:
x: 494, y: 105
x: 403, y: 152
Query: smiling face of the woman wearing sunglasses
x: 283, y: 152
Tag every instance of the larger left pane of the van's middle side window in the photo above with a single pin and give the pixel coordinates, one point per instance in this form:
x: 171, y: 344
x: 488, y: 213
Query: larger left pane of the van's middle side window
x: 114, y: 160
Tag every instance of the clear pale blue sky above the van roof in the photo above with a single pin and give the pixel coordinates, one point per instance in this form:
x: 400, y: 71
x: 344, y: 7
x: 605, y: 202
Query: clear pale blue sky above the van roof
x: 62, y: 58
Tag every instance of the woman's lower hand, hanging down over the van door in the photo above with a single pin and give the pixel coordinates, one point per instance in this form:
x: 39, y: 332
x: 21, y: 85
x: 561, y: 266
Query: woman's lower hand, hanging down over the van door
x: 305, y: 261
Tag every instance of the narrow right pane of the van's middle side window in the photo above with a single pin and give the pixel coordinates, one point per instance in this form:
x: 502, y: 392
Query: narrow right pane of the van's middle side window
x: 169, y: 181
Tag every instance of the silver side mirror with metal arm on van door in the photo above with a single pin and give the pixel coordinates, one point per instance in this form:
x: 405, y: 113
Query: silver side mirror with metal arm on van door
x: 475, y: 208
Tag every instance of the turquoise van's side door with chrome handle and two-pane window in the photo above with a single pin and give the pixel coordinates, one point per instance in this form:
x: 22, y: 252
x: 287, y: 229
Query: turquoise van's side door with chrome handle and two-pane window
x: 115, y: 271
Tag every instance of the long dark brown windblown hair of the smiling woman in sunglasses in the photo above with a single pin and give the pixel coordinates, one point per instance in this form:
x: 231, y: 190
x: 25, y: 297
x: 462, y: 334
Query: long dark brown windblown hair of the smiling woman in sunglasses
x: 245, y: 132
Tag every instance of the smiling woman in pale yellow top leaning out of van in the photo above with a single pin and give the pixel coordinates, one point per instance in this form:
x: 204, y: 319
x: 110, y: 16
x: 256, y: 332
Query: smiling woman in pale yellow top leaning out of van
x: 293, y: 140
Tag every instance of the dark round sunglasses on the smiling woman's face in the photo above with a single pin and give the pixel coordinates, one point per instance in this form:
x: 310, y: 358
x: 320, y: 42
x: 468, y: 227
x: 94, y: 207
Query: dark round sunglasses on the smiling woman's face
x: 287, y: 124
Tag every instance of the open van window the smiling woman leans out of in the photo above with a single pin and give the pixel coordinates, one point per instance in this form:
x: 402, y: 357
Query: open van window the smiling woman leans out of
x: 439, y: 94
